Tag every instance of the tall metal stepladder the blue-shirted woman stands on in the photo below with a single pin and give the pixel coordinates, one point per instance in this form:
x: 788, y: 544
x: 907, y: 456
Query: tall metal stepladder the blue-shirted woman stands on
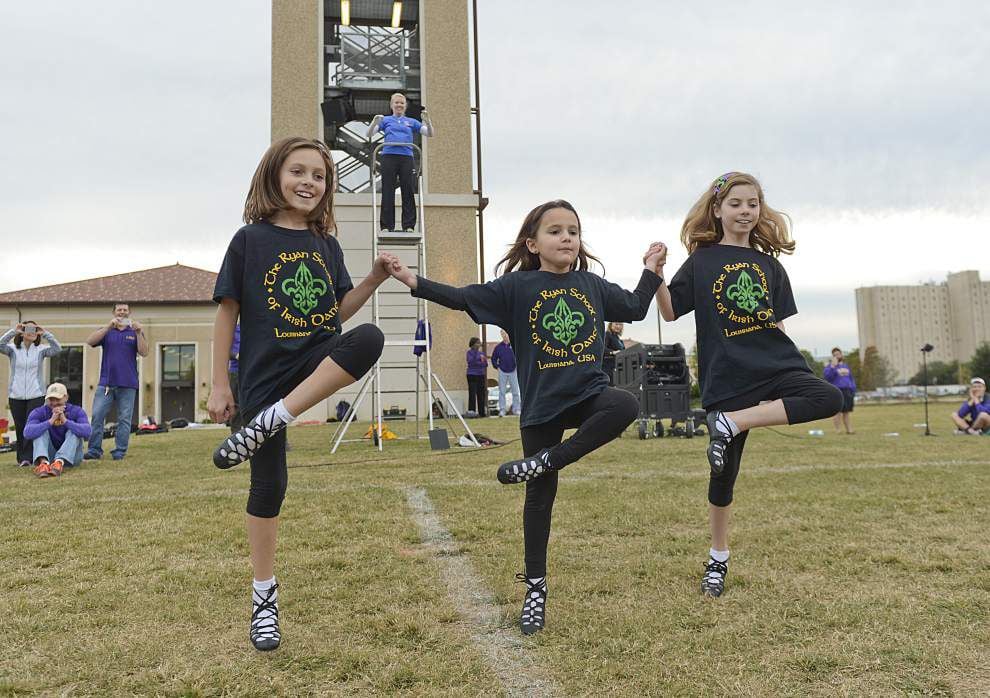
x: 373, y: 382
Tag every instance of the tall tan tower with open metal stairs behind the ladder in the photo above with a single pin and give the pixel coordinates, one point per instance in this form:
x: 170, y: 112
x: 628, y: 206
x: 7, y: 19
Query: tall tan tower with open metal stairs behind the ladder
x: 334, y: 67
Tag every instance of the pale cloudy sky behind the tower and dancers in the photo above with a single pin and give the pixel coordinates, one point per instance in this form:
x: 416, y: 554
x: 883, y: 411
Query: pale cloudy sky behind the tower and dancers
x: 130, y: 130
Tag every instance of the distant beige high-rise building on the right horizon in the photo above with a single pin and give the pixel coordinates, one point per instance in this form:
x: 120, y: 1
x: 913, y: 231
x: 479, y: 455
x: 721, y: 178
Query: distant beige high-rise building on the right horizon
x: 953, y: 316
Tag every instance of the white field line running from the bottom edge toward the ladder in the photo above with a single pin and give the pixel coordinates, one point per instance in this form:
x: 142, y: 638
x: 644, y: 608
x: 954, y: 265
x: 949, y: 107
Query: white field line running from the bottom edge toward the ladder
x: 508, y: 656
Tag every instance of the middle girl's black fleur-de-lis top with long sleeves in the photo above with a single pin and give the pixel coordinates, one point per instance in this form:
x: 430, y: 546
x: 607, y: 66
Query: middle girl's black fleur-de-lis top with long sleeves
x: 556, y: 324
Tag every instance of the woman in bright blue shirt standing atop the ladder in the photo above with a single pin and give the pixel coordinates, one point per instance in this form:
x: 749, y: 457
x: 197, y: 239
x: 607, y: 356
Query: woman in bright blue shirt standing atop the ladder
x: 399, y: 162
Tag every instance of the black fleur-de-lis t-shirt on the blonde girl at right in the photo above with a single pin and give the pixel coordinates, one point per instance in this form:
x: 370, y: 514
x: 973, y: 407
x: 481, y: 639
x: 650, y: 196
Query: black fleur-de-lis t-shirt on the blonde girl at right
x: 738, y: 295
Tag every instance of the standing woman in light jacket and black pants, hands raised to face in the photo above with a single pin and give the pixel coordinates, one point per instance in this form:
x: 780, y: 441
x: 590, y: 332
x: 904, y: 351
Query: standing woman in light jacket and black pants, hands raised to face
x: 26, y: 390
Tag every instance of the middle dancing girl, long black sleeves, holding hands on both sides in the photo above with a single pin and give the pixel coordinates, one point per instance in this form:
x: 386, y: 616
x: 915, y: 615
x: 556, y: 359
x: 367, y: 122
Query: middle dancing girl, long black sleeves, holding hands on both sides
x: 553, y: 309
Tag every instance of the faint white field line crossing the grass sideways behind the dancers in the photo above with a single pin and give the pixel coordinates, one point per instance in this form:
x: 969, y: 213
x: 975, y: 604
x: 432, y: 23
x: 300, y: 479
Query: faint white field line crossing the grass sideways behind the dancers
x: 579, y: 472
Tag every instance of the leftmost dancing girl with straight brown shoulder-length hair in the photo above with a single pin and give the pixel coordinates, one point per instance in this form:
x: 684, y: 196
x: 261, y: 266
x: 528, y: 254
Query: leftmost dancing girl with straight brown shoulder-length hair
x: 284, y: 275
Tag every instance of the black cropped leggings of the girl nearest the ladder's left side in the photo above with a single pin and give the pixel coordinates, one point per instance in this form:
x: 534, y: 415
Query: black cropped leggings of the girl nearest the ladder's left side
x: 356, y: 352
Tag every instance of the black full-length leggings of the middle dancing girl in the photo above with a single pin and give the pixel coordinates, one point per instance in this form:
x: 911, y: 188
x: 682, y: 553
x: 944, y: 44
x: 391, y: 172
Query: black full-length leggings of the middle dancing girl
x: 598, y: 419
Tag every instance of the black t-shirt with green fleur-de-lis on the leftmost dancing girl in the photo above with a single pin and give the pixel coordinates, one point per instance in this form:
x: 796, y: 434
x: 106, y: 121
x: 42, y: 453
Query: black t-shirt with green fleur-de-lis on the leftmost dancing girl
x: 289, y: 284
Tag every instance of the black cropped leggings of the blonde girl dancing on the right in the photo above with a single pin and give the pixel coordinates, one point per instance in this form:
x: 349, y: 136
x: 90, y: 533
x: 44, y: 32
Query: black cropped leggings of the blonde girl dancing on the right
x: 806, y: 398
